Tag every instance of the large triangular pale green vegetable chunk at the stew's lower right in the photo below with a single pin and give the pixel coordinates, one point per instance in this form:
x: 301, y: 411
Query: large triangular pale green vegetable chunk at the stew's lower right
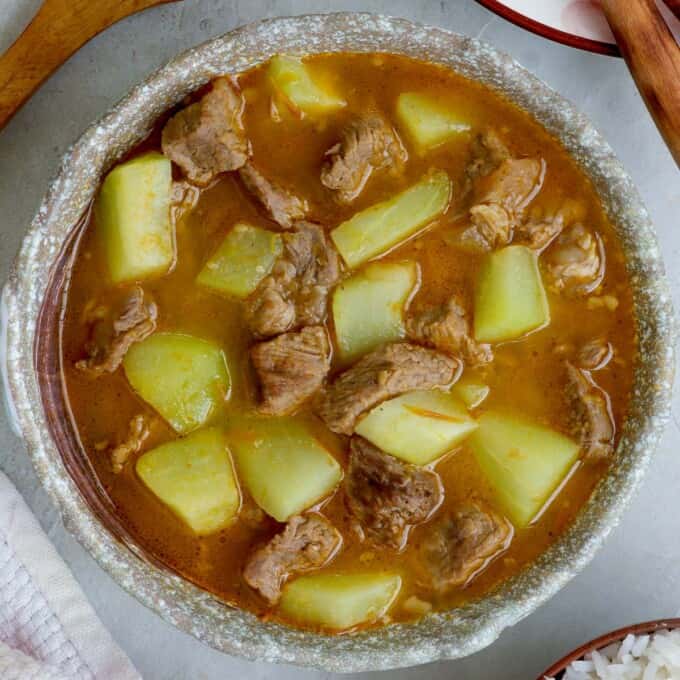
x: 524, y: 462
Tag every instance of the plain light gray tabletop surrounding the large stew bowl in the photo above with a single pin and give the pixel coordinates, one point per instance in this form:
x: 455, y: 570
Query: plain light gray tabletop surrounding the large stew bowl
x: 635, y: 577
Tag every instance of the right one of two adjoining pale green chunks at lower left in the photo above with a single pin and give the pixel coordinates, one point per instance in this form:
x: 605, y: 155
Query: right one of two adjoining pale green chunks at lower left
x: 284, y: 467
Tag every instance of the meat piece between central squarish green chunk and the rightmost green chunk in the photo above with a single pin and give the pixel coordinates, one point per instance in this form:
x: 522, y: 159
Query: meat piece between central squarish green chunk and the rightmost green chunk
x: 447, y: 328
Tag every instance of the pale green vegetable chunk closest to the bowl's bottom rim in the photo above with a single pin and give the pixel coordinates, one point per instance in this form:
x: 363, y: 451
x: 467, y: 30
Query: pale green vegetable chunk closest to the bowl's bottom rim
x: 340, y: 601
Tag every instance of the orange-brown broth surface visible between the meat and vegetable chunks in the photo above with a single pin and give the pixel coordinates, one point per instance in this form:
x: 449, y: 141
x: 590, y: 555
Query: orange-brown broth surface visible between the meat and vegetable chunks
x: 525, y: 376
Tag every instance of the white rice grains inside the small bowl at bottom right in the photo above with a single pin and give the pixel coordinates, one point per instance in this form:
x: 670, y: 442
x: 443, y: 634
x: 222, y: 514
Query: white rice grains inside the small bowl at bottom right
x: 637, y: 657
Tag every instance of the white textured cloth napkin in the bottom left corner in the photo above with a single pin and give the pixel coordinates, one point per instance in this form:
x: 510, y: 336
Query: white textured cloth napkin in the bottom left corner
x: 48, y: 630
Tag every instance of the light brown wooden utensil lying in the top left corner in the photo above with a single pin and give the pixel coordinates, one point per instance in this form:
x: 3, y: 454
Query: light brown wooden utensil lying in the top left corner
x: 60, y: 28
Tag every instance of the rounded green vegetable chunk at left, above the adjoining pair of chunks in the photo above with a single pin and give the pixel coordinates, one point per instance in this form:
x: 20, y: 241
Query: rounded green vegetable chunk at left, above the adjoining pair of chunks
x: 183, y: 377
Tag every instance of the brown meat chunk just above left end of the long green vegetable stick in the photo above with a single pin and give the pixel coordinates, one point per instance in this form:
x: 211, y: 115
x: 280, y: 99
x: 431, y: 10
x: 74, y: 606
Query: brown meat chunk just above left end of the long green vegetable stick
x: 367, y: 144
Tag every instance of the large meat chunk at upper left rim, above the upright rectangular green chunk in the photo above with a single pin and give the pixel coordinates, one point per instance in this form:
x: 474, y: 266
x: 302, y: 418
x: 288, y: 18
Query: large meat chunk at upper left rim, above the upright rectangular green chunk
x: 207, y: 138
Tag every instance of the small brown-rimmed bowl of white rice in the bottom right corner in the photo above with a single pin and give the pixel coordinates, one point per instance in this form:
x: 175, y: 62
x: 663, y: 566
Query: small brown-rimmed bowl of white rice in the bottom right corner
x: 646, y: 651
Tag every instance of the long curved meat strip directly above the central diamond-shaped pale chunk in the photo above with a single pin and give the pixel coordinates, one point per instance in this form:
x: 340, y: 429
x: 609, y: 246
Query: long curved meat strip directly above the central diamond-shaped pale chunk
x: 384, y: 373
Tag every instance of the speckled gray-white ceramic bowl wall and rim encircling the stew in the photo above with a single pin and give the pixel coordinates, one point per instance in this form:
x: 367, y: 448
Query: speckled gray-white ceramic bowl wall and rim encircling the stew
x: 31, y: 301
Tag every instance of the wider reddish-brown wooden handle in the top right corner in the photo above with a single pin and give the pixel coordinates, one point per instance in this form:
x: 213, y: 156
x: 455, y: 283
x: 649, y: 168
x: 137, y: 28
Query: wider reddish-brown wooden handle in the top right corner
x: 653, y: 58
